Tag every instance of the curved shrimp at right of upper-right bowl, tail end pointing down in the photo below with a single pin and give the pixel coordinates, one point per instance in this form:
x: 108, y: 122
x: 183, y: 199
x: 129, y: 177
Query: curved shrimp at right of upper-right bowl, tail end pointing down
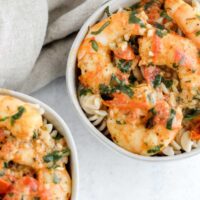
x: 177, y: 53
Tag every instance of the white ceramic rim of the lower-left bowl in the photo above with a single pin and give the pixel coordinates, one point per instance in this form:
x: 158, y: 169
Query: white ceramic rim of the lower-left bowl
x: 61, y: 126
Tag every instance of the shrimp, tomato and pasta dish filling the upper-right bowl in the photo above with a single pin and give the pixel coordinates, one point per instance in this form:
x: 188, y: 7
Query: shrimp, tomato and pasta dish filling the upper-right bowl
x: 138, y: 76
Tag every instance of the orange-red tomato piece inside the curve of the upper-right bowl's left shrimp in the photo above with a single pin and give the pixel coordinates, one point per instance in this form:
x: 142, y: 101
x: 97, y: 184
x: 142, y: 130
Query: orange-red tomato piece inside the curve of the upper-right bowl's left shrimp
x: 127, y: 54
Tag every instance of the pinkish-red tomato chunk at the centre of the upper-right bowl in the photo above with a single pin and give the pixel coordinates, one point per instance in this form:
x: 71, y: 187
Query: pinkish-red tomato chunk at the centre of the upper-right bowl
x: 150, y: 73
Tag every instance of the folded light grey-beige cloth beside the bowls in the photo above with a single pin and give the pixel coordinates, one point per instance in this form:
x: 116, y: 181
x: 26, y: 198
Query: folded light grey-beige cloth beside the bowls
x: 35, y: 38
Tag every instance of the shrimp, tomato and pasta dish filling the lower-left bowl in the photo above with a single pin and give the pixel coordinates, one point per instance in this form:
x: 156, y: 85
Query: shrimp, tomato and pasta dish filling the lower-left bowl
x: 35, y: 158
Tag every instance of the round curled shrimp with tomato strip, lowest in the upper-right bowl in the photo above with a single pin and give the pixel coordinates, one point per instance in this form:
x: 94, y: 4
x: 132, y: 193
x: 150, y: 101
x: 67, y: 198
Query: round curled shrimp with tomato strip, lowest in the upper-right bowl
x: 145, y: 124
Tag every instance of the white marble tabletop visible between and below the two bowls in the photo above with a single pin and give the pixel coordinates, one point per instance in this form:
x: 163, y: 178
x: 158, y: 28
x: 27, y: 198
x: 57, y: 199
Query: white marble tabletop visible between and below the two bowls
x: 106, y: 175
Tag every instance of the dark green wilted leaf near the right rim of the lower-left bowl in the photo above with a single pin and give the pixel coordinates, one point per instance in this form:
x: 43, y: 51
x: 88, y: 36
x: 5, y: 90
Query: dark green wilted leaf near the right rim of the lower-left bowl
x: 56, y: 155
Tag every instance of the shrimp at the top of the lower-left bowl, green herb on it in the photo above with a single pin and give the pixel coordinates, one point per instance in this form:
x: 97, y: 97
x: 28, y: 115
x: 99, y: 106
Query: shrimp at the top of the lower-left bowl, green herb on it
x: 20, y: 118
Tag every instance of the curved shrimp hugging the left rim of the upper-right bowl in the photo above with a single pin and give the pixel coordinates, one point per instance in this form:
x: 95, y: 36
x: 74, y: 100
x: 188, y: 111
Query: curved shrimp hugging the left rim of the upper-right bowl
x: 105, y: 37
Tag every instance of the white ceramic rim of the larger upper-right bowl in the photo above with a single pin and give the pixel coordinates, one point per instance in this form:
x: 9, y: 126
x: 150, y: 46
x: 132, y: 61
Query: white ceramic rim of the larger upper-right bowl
x: 72, y: 82
